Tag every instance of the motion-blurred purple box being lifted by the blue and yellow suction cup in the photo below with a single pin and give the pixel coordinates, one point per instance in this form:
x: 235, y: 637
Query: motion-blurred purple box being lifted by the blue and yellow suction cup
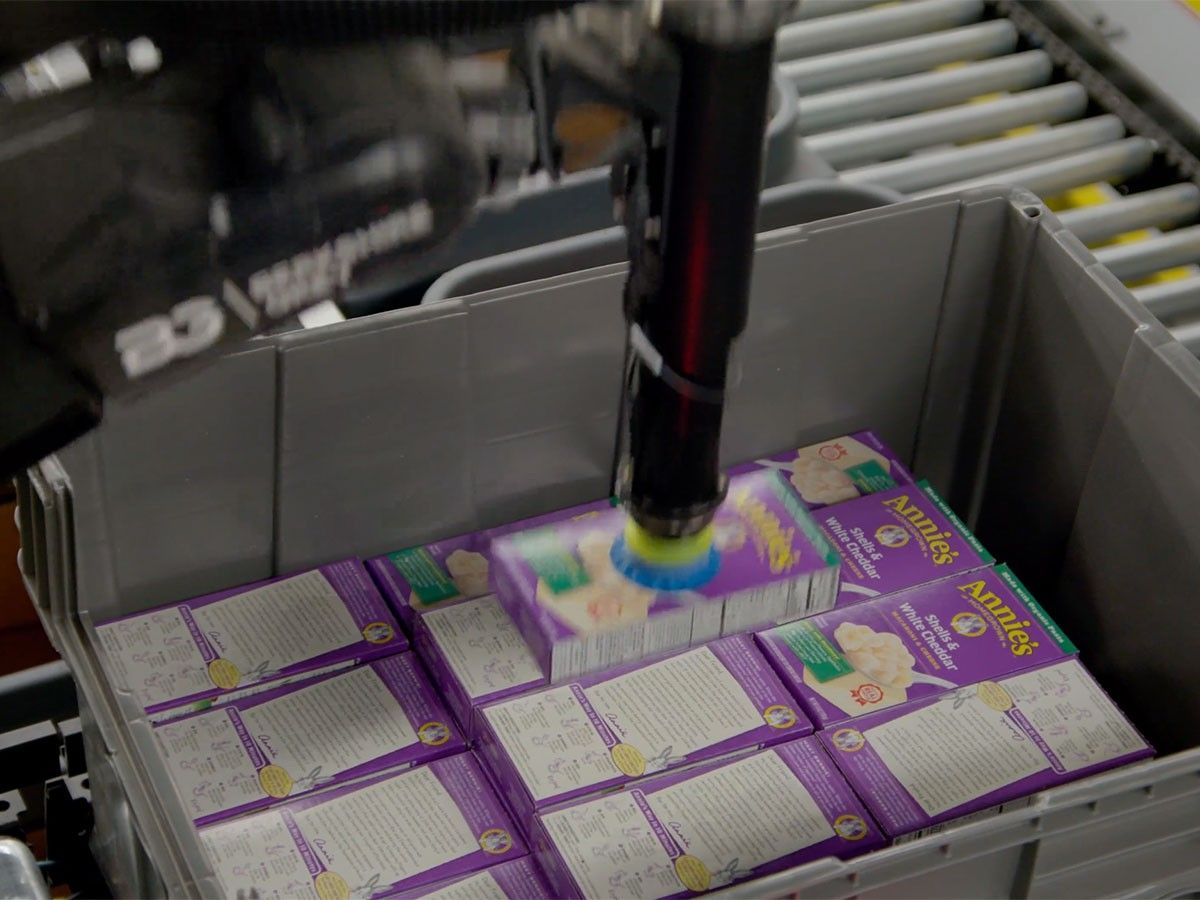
x: 580, y: 615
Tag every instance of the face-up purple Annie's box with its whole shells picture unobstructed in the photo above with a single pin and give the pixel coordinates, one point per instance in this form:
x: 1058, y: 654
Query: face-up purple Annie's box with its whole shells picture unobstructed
x: 880, y: 653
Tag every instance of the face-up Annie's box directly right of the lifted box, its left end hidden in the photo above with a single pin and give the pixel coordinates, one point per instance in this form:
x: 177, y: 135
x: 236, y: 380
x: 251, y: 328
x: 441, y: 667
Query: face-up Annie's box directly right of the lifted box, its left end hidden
x: 898, y: 539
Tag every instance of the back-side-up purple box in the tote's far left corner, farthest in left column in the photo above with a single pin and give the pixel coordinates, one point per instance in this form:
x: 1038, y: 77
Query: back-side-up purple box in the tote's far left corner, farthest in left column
x: 209, y: 650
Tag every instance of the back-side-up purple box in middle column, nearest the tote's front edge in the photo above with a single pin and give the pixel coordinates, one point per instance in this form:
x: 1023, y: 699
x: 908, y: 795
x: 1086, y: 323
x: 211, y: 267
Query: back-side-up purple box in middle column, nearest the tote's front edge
x: 706, y: 829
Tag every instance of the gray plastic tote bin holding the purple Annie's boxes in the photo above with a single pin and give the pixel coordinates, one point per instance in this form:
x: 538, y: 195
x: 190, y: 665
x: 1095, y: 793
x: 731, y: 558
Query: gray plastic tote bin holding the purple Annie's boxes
x: 981, y: 340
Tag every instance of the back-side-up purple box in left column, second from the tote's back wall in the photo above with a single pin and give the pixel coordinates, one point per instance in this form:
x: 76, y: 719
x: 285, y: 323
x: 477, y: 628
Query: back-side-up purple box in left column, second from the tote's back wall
x: 320, y: 733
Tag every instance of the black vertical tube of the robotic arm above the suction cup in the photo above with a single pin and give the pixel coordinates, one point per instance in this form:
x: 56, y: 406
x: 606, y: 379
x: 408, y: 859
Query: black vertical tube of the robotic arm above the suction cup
x: 713, y: 163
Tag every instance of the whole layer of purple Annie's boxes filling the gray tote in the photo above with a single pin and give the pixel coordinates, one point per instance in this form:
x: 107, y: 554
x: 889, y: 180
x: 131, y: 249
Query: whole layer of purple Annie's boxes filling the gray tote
x: 857, y: 673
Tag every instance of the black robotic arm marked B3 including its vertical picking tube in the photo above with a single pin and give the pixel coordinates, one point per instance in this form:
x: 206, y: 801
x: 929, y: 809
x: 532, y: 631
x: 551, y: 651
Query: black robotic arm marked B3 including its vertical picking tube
x: 153, y: 218
